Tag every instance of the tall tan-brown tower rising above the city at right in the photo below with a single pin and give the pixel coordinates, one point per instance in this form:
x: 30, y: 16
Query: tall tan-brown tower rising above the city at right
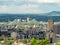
x: 50, y: 30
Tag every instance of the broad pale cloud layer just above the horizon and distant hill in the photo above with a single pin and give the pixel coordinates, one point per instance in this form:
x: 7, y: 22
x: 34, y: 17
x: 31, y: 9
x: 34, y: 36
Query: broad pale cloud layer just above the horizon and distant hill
x: 29, y: 8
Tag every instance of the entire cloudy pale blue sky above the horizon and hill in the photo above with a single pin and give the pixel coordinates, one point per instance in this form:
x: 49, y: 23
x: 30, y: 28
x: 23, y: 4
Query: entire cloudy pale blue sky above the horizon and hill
x: 29, y: 6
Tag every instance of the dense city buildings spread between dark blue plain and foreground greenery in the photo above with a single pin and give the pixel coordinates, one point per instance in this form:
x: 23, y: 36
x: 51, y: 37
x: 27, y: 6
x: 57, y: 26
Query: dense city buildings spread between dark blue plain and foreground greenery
x: 28, y: 29
